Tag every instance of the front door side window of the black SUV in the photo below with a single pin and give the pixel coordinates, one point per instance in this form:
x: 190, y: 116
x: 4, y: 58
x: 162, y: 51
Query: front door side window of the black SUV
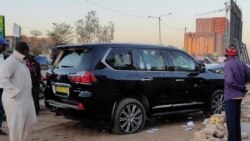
x: 181, y: 61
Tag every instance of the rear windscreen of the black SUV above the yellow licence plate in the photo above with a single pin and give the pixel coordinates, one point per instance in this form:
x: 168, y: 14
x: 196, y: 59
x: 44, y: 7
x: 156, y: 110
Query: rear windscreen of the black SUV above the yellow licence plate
x: 73, y: 58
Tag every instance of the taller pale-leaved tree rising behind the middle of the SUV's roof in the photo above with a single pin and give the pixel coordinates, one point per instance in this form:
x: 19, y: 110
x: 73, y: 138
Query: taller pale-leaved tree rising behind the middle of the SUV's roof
x: 89, y: 29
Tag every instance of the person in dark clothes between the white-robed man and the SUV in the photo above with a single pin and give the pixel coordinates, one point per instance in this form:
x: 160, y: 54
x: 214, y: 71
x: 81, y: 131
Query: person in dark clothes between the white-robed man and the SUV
x: 35, y: 72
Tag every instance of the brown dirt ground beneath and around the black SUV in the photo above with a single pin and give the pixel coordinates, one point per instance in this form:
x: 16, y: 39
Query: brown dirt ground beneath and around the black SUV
x: 169, y: 128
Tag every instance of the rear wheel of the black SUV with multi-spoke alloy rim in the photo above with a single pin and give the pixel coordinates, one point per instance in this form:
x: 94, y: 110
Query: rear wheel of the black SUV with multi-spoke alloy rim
x: 129, y: 117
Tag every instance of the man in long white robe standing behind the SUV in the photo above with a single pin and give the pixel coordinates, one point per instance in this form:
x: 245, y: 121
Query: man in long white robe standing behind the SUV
x: 17, y: 98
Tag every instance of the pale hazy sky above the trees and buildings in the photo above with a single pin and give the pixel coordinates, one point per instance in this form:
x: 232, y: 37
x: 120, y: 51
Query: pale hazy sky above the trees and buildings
x: 130, y: 17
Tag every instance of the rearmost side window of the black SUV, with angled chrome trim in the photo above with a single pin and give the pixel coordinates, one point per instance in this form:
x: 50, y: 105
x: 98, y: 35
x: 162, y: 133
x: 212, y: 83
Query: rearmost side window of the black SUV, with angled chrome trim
x: 120, y: 59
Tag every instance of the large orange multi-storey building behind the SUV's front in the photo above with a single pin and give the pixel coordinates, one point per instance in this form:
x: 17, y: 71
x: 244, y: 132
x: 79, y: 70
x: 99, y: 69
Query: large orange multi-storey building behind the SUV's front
x: 208, y: 38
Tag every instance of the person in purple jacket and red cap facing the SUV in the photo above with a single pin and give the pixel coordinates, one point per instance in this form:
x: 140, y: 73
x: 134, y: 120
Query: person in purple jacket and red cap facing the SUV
x: 236, y: 75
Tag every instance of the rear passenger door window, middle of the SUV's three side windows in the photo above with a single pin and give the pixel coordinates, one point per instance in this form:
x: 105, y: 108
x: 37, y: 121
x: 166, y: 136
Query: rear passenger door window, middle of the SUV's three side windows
x: 151, y: 60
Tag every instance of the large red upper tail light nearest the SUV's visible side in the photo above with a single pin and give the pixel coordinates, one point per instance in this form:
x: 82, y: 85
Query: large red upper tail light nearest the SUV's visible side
x: 88, y: 77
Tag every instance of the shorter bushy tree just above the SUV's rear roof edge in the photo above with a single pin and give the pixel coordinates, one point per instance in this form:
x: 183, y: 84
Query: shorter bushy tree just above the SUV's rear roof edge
x: 61, y: 34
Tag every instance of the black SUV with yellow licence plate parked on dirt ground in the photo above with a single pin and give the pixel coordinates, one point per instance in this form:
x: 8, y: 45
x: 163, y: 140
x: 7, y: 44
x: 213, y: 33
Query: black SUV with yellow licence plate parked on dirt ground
x: 125, y: 83
